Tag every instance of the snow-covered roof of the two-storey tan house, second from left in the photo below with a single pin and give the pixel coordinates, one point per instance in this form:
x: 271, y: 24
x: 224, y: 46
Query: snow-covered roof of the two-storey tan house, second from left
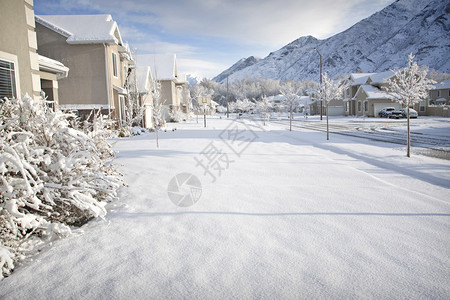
x: 83, y: 29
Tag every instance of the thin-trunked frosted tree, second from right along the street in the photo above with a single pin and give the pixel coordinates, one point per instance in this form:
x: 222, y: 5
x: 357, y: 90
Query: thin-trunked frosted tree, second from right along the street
x: 328, y: 91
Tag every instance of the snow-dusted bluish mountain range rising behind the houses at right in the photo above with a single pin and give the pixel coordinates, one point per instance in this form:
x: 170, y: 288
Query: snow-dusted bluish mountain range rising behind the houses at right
x: 375, y: 44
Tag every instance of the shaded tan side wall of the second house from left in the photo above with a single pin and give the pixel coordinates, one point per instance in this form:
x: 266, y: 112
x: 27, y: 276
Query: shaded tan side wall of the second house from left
x: 86, y: 83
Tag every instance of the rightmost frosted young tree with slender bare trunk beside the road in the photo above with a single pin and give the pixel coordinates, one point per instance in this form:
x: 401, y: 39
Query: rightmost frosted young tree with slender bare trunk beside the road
x: 408, y: 86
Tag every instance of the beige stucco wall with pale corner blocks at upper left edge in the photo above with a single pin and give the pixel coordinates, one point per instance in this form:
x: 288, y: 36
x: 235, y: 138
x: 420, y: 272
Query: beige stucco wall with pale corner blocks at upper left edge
x: 18, y: 44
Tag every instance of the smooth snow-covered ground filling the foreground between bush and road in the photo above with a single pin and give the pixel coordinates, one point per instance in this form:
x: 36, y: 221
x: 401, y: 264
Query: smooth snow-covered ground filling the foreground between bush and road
x: 280, y: 215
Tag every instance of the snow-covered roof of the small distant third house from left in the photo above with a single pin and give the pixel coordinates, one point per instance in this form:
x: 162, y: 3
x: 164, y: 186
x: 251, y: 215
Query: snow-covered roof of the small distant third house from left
x: 162, y: 66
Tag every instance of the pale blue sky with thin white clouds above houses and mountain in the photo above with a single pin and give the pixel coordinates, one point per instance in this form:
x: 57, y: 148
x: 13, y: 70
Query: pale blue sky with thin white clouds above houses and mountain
x: 208, y: 36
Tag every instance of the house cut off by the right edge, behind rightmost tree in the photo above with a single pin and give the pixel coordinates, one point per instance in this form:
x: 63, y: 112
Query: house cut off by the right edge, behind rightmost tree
x: 439, y: 102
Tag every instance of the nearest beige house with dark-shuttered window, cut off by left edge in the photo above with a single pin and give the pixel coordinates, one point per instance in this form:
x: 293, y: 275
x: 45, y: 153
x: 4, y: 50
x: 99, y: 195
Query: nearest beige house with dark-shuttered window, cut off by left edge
x: 22, y: 69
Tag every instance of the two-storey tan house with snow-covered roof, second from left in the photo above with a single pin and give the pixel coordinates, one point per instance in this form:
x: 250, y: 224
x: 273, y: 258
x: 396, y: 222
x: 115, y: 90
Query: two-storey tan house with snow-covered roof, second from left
x: 92, y: 47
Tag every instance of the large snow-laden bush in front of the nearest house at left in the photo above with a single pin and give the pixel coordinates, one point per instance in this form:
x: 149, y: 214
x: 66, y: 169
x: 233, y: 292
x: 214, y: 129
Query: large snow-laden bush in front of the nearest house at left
x: 51, y: 176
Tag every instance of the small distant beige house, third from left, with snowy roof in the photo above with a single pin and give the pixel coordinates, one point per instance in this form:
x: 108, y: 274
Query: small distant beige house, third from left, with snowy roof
x: 173, y: 85
